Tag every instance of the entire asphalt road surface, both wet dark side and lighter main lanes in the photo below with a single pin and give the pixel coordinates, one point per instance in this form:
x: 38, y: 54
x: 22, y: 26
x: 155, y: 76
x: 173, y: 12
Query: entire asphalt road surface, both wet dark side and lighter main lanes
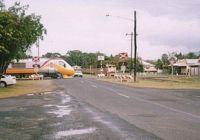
x: 90, y: 109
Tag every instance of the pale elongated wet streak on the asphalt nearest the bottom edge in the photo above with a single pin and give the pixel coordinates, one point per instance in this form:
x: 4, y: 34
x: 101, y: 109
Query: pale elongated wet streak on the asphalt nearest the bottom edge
x: 74, y: 132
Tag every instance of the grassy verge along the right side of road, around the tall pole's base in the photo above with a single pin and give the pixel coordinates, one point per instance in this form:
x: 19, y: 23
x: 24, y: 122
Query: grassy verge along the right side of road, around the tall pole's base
x: 160, y: 82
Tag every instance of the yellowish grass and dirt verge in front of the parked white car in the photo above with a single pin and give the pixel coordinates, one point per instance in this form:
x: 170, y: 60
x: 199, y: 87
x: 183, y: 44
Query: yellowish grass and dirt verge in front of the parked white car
x: 26, y: 87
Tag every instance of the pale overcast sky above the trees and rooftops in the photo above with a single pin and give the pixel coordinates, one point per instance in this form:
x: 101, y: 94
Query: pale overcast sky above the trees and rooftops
x: 163, y: 26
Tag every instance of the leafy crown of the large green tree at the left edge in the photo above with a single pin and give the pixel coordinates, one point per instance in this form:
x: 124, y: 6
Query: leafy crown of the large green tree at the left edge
x: 18, y: 32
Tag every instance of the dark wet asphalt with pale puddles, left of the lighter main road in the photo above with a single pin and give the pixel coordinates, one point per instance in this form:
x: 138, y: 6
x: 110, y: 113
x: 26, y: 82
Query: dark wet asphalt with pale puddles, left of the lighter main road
x: 56, y: 115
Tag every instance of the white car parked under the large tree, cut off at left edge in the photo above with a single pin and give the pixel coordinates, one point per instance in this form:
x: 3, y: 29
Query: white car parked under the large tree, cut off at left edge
x: 6, y: 80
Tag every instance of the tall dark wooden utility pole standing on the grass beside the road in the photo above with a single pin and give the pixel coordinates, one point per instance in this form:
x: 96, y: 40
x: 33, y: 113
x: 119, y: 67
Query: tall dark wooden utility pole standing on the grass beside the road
x: 135, y: 46
